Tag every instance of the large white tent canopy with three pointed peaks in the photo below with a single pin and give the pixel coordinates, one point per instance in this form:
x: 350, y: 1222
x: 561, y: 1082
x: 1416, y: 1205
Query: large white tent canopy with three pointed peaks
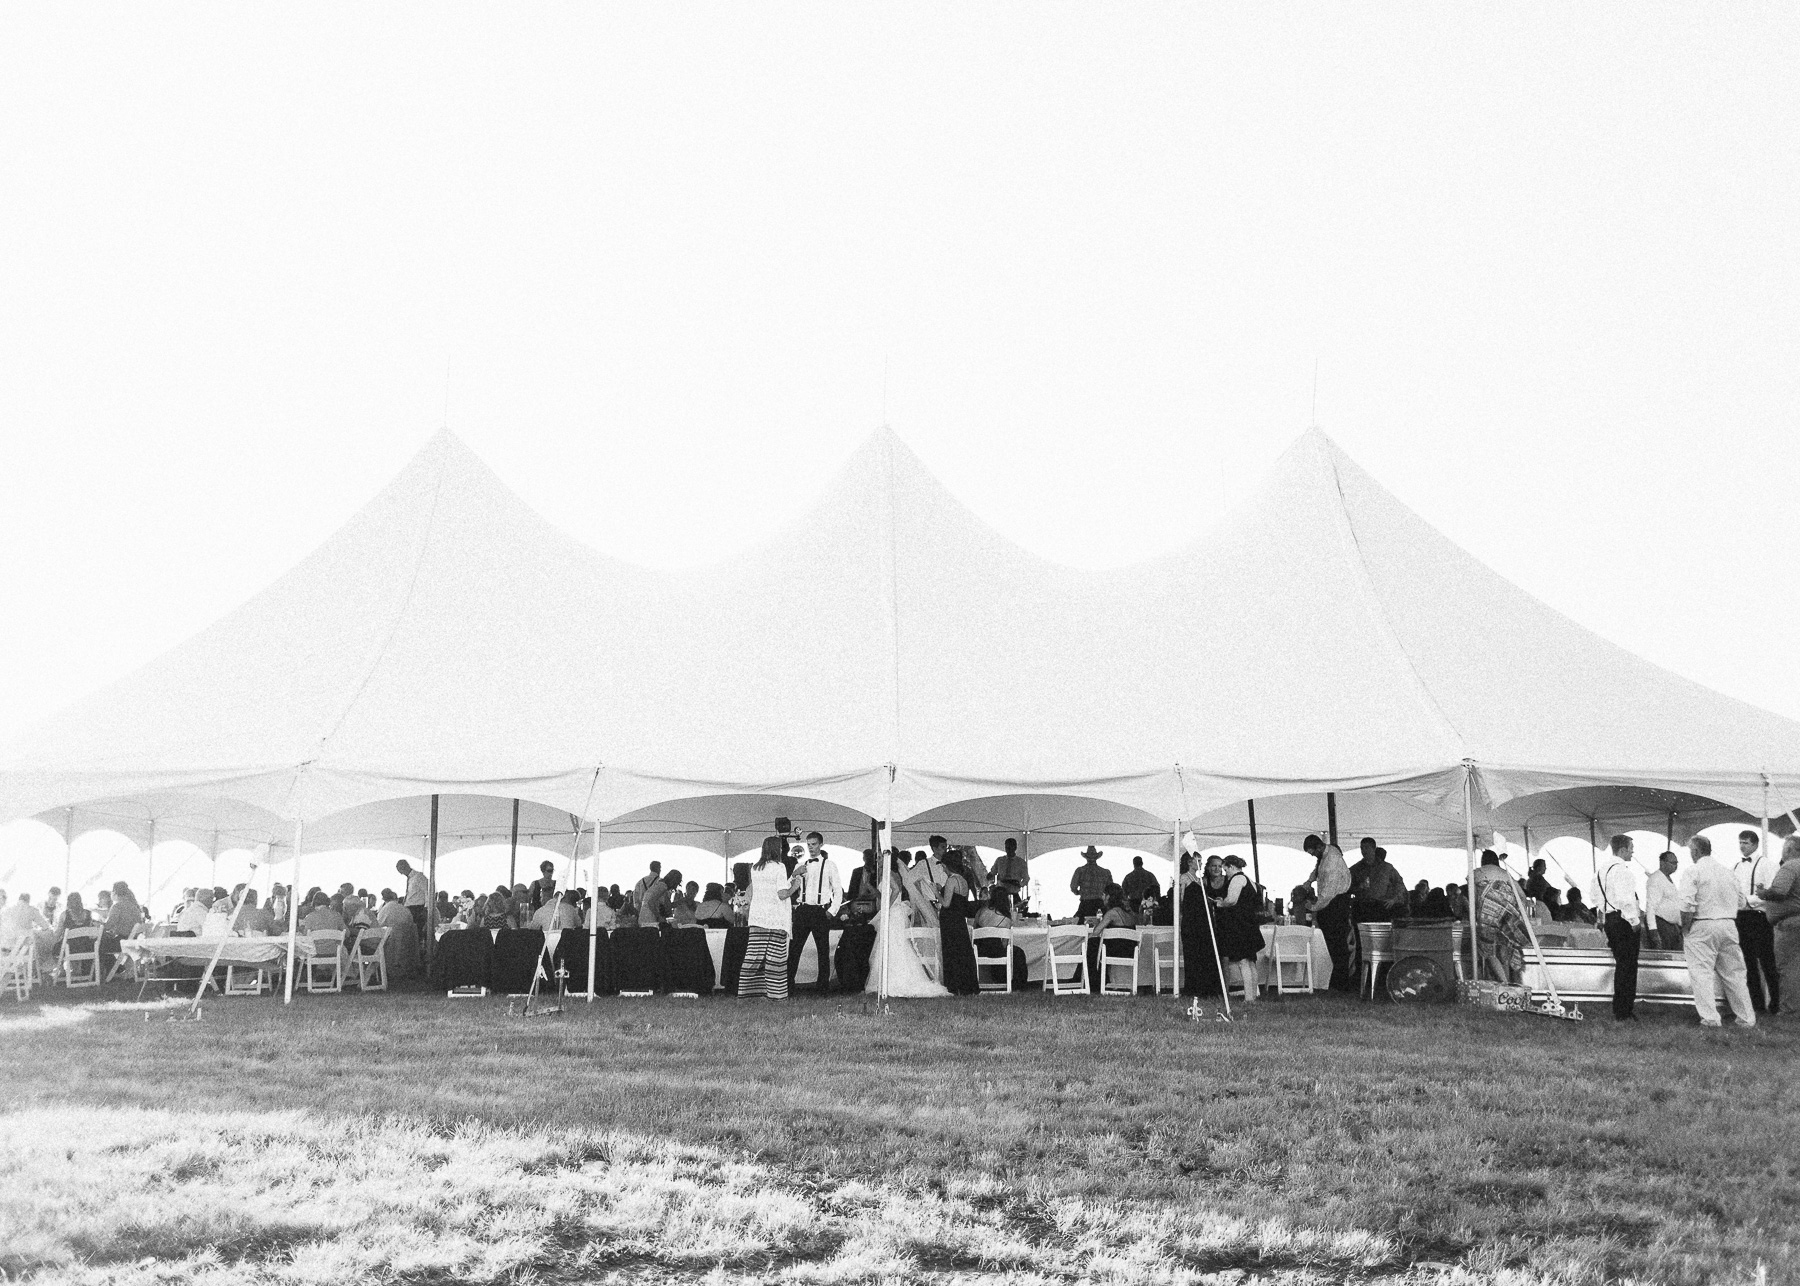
x: 449, y: 640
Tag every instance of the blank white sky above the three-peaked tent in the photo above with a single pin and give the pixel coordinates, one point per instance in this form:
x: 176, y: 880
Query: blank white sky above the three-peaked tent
x: 1547, y: 260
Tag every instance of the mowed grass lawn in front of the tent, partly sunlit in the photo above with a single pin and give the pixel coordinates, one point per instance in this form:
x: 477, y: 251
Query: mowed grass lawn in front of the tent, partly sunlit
x: 1025, y: 1139
